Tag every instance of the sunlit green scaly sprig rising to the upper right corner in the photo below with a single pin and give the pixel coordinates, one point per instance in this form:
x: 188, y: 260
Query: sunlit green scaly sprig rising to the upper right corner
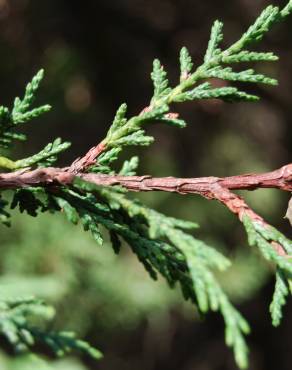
x: 214, y: 66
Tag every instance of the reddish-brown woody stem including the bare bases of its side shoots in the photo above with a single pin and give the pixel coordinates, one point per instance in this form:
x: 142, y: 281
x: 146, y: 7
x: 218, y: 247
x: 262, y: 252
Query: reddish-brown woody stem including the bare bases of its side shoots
x: 209, y: 187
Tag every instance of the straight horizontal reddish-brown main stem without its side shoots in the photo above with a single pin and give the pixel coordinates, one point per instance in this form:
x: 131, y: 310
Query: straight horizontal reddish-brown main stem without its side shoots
x: 279, y: 179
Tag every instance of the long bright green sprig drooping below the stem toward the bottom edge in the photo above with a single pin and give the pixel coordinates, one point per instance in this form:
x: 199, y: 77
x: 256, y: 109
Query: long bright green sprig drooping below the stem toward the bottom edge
x: 192, y: 254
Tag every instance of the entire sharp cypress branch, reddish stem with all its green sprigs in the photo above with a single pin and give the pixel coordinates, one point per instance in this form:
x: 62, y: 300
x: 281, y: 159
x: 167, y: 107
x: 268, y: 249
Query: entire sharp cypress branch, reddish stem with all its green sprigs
x: 85, y: 192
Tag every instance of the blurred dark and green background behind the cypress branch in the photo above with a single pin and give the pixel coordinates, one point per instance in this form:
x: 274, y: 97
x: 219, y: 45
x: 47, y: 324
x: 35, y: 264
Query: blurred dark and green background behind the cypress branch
x: 98, y: 54
